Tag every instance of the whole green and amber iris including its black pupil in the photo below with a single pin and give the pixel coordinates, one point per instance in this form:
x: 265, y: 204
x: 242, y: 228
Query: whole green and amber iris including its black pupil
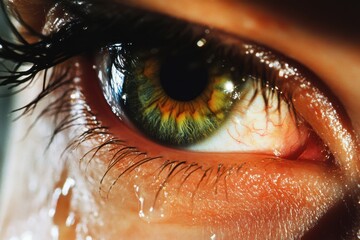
x: 179, y: 99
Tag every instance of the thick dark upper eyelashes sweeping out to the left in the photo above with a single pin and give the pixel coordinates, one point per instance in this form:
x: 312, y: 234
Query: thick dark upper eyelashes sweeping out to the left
x: 73, y: 39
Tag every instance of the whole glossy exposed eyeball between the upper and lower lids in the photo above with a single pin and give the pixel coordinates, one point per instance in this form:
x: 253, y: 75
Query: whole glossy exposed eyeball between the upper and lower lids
x: 225, y: 97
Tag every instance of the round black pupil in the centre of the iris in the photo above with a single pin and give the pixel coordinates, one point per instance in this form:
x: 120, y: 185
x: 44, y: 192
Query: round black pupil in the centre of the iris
x: 184, y: 77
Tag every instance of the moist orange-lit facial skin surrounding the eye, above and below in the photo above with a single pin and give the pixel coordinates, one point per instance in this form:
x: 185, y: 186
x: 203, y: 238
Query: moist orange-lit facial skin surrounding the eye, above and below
x: 253, y: 206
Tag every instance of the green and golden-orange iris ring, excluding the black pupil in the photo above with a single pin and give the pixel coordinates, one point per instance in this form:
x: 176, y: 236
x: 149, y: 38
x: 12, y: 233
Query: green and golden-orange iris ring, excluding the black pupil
x: 178, y: 122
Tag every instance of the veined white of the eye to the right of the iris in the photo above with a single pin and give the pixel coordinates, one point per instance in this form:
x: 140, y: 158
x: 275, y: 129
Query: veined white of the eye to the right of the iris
x: 251, y: 129
